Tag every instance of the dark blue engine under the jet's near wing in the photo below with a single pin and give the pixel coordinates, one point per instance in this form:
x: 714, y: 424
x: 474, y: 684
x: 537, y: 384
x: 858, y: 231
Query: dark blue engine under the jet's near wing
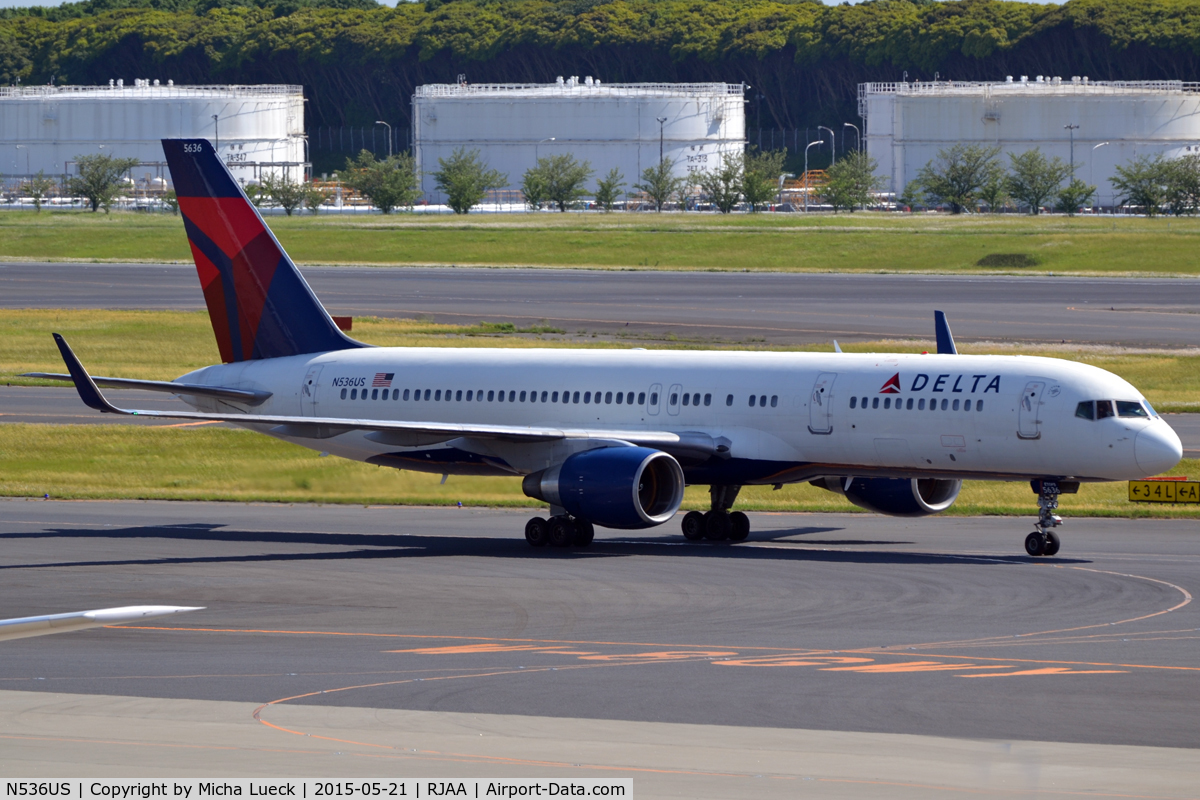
x: 615, y: 488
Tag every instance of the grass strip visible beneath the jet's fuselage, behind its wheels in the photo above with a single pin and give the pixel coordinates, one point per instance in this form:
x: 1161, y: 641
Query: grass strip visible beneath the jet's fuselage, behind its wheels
x: 125, y: 462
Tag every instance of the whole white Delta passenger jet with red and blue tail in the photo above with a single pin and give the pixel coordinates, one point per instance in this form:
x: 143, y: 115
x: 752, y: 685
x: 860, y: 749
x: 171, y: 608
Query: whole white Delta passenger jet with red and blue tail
x: 611, y: 437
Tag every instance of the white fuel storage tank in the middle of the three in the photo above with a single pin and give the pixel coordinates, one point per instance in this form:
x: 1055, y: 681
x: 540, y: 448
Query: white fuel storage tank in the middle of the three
x: 609, y: 125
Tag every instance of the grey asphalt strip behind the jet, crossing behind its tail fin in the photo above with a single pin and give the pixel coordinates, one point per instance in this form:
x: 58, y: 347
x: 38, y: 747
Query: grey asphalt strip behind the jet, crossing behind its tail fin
x: 717, y: 306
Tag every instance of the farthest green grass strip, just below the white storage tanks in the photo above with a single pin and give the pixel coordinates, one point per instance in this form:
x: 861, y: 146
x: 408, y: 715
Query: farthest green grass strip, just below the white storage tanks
x: 860, y: 243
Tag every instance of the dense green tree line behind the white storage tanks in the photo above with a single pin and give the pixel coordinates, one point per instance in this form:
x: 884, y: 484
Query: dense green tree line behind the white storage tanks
x: 803, y: 61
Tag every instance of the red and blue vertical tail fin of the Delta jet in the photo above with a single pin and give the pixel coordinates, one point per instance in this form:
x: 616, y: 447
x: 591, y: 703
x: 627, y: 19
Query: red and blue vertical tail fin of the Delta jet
x: 260, y: 304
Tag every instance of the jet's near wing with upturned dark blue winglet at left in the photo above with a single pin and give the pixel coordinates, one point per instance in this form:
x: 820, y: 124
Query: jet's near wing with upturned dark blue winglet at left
x: 401, y: 434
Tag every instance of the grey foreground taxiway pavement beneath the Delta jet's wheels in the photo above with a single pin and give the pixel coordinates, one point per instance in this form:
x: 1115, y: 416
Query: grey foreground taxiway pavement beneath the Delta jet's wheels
x: 861, y: 625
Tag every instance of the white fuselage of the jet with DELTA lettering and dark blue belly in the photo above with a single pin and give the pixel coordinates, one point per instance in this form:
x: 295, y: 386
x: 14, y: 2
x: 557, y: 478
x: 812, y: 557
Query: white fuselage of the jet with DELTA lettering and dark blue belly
x: 999, y: 418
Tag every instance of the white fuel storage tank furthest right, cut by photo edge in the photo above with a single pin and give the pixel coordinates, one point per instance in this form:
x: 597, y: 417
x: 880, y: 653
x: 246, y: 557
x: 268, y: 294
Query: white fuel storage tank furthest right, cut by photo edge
x: 1097, y: 124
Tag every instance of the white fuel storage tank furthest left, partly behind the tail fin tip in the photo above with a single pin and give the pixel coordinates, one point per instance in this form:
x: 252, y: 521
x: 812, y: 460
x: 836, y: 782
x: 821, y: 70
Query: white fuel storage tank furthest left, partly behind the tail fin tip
x: 257, y: 129
